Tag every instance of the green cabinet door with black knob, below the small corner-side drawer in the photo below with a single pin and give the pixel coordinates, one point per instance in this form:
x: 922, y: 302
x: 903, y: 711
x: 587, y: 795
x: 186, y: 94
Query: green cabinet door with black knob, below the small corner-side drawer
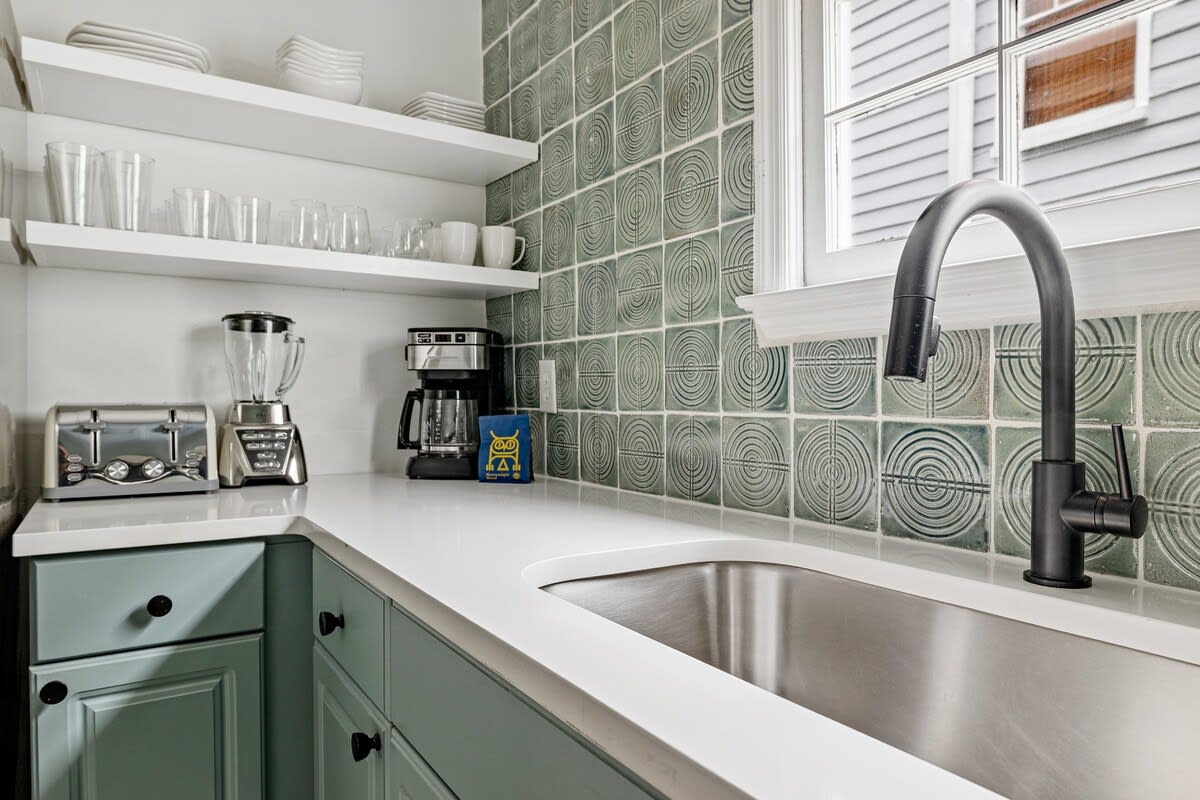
x: 350, y: 736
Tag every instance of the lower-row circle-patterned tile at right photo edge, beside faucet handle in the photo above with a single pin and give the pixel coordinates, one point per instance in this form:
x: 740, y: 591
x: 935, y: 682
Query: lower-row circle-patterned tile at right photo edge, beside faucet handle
x: 1173, y: 542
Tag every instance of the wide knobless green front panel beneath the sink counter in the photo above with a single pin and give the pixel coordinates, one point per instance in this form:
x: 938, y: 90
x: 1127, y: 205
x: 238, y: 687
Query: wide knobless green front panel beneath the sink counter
x: 483, y: 739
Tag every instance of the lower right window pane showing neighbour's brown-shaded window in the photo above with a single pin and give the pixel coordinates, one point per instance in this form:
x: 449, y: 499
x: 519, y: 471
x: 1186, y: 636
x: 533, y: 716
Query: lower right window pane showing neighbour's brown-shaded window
x: 1114, y: 111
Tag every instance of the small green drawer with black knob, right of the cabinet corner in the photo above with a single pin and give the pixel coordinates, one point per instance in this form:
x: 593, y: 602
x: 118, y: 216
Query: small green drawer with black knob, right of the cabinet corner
x: 356, y: 624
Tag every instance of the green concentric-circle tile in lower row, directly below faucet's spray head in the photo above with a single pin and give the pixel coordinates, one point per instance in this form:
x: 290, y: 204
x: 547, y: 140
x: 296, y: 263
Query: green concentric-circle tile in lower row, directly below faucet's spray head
x: 937, y: 484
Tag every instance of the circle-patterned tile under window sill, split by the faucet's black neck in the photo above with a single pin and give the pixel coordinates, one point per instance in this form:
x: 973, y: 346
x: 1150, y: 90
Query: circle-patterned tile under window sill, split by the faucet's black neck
x: 1106, y: 352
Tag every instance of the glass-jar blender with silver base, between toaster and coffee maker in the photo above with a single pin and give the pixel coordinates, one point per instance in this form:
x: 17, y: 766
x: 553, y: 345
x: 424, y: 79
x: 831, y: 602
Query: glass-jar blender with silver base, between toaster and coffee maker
x: 260, y: 444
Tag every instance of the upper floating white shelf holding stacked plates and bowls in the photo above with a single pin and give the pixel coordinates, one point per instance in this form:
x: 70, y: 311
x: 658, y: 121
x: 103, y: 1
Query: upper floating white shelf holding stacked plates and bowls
x: 105, y: 88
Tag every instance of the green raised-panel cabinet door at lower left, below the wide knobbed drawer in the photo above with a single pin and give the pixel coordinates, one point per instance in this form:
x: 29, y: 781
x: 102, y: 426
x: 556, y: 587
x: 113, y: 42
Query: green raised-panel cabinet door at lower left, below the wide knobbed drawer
x: 179, y: 723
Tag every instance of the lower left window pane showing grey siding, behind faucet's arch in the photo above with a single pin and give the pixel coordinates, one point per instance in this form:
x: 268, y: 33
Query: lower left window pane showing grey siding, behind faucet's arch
x: 893, y: 161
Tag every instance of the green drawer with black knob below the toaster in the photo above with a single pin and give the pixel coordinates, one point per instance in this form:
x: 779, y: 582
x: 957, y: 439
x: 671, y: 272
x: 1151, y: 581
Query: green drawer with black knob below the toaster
x: 85, y: 605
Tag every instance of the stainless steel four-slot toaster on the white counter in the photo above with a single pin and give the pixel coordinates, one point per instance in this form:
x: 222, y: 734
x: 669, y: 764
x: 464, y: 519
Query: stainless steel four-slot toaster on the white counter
x: 103, y: 452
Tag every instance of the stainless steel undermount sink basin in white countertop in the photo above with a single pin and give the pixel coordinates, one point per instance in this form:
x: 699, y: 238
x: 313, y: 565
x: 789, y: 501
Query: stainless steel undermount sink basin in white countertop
x: 1023, y: 711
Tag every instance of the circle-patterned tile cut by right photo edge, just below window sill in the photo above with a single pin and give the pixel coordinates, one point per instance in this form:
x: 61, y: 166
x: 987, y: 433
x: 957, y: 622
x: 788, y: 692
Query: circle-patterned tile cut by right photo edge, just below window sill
x: 1172, y: 369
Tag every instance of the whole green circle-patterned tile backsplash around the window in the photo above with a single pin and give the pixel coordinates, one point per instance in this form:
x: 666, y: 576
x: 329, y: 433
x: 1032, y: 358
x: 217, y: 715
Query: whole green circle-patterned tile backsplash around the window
x: 640, y: 218
